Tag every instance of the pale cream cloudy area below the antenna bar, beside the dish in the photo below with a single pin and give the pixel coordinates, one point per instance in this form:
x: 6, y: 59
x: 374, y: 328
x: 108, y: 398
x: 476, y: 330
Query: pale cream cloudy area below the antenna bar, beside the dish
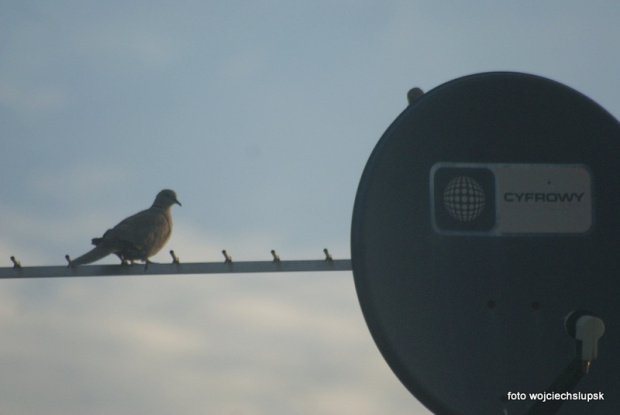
x: 251, y: 344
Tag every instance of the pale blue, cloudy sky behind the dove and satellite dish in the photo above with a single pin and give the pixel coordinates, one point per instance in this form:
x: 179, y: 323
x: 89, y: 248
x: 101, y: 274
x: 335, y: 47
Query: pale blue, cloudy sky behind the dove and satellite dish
x: 261, y: 115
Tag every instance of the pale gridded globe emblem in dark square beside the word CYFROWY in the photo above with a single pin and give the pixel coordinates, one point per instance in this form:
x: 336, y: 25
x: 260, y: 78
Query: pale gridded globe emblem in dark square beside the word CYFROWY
x: 464, y: 198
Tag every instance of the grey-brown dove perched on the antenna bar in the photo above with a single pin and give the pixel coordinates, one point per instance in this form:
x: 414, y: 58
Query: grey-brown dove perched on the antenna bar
x: 139, y: 236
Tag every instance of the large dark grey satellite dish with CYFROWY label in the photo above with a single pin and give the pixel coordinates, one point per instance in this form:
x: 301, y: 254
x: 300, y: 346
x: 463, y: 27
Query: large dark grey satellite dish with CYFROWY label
x: 486, y: 221
